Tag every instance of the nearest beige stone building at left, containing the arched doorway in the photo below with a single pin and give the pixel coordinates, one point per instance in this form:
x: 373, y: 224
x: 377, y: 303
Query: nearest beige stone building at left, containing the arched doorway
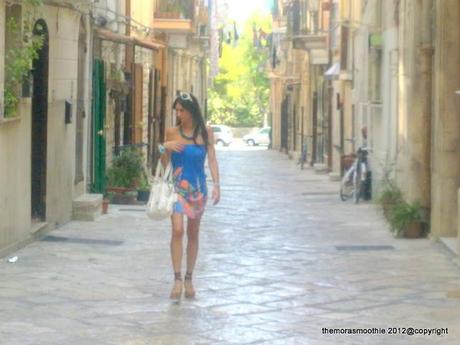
x: 43, y: 160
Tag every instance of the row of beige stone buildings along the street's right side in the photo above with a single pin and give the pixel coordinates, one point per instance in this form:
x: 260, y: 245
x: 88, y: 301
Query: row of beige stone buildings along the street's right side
x: 391, y: 69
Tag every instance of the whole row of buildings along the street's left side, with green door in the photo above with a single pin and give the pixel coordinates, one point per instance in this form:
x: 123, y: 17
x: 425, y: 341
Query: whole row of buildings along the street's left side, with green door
x: 103, y: 81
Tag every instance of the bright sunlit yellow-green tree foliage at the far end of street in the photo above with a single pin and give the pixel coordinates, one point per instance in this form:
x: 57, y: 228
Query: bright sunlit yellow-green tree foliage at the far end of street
x: 240, y: 93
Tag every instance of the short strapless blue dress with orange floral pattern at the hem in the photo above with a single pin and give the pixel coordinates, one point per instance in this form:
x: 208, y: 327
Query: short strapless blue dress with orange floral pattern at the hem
x: 190, y: 180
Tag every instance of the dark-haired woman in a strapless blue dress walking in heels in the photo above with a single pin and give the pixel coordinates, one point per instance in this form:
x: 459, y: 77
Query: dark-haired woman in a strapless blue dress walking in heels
x: 187, y: 146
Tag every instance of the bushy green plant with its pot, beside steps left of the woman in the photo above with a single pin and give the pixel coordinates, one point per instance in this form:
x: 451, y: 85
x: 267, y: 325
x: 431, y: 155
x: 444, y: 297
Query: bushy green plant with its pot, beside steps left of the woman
x: 124, y: 176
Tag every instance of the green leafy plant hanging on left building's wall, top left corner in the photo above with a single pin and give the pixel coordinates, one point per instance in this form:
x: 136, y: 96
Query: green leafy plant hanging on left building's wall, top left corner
x: 19, y: 57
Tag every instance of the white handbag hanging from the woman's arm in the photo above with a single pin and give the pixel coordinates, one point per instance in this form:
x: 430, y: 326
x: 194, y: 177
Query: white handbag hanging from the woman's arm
x: 162, y: 195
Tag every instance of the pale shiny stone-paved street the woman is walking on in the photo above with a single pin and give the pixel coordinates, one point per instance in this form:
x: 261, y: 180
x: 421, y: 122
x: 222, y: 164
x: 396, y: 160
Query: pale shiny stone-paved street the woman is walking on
x: 281, y: 258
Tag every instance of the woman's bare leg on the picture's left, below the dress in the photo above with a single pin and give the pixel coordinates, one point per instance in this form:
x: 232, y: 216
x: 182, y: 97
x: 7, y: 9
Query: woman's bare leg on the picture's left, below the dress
x: 177, y: 221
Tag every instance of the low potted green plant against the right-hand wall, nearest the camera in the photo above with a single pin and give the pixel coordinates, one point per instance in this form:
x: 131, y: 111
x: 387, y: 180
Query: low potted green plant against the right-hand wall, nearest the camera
x: 406, y: 219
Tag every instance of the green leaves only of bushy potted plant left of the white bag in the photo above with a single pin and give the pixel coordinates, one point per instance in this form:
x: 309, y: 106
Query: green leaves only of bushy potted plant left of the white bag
x: 126, y: 169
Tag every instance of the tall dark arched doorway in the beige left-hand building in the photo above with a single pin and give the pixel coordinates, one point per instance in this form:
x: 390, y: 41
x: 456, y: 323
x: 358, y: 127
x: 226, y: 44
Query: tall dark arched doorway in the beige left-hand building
x: 39, y: 125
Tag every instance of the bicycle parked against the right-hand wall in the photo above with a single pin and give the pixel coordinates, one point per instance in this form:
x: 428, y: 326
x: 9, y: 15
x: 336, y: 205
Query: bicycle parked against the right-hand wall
x: 353, y: 183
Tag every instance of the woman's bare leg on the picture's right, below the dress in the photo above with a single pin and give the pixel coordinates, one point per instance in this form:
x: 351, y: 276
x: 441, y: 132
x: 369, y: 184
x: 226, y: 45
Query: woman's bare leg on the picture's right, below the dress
x: 193, y: 228
